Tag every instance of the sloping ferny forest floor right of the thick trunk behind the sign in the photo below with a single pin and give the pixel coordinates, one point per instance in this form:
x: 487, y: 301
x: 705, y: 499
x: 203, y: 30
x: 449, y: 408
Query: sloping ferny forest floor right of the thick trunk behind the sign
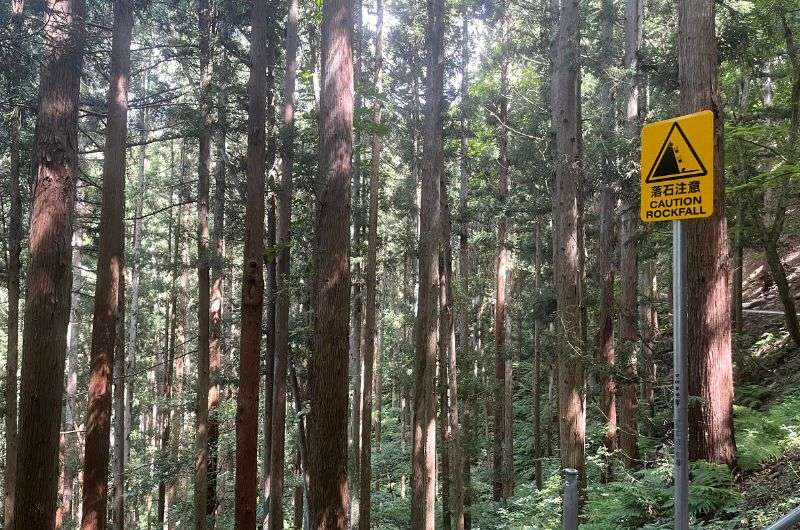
x: 768, y: 398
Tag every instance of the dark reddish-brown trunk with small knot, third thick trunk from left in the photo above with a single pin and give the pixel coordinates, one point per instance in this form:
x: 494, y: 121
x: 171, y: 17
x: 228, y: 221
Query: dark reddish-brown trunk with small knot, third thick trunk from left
x: 252, y: 278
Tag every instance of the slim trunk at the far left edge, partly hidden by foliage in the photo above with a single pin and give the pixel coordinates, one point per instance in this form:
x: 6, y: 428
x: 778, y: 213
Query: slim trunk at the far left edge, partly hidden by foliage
x: 14, y: 239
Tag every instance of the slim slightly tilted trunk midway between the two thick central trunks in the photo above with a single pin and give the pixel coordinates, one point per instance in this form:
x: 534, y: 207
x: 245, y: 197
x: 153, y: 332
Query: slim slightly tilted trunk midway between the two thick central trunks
x: 368, y: 350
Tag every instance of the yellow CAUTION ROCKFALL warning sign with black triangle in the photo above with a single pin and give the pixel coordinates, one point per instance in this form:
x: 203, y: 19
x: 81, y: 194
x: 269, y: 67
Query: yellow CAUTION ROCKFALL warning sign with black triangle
x: 677, y: 179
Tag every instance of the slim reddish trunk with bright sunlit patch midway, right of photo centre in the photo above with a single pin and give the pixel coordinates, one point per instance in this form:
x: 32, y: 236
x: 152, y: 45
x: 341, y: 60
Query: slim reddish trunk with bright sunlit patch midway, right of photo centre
x: 502, y: 483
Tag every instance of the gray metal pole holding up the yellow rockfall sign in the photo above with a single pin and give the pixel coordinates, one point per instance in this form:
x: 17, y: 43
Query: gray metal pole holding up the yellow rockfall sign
x: 680, y: 378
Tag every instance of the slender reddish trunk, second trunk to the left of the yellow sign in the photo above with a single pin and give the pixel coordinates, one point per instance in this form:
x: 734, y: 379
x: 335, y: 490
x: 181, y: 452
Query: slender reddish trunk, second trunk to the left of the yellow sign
x: 606, y: 247
